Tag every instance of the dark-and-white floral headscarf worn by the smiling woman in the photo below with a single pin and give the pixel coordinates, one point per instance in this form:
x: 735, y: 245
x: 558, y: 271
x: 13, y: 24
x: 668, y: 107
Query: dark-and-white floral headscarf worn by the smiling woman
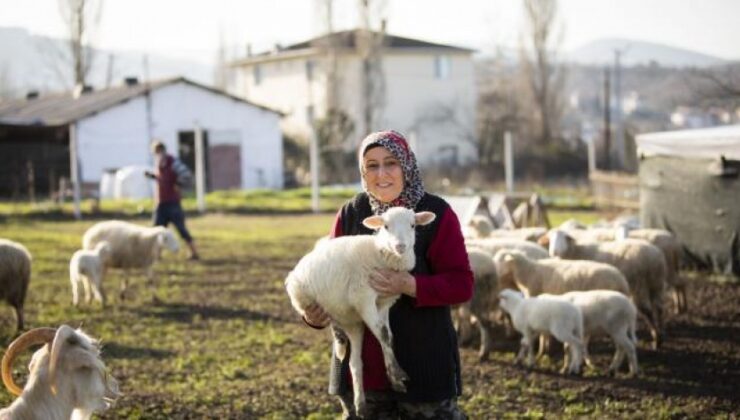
x: 413, y: 188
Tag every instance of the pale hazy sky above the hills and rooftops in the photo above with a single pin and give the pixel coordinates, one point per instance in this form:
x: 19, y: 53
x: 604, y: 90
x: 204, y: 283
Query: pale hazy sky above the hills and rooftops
x: 192, y: 28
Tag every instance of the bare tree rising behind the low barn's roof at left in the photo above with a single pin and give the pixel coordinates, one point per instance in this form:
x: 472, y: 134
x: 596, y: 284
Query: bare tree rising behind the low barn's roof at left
x: 81, y: 18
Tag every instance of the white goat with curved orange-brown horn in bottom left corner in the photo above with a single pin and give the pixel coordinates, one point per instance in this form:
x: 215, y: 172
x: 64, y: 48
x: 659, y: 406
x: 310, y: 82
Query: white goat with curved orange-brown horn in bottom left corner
x: 67, y: 377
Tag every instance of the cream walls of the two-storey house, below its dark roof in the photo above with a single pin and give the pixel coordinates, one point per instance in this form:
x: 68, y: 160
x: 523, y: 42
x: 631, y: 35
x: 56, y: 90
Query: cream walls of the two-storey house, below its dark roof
x: 415, y: 98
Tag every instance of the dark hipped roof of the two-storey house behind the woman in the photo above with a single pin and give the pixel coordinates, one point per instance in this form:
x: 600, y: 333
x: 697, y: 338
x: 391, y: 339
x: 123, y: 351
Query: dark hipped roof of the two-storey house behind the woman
x: 349, y: 40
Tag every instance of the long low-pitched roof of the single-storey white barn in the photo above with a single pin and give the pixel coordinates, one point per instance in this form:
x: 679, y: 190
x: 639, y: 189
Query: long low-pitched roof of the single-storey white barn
x: 63, y: 108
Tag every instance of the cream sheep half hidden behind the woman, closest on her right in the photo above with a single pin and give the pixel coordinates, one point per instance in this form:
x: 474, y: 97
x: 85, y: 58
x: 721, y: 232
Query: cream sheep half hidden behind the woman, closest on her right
x: 483, y: 303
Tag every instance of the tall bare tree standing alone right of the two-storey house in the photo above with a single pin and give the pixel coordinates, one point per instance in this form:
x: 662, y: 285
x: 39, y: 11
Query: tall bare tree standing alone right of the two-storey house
x: 545, y: 78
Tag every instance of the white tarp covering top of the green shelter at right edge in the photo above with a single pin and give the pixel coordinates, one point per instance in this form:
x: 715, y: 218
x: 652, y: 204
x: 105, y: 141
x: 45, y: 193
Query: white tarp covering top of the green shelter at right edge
x: 709, y: 143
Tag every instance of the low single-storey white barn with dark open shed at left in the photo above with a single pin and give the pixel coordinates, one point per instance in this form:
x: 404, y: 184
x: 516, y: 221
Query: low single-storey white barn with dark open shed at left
x: 114, y: 128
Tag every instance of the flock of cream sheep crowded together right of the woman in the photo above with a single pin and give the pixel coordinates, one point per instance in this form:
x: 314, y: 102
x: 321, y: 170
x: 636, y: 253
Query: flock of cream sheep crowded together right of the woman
x: 572, y: 283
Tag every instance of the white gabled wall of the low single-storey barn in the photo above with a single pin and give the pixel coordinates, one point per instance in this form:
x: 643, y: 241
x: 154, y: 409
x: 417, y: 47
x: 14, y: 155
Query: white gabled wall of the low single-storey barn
x: 118, y: 137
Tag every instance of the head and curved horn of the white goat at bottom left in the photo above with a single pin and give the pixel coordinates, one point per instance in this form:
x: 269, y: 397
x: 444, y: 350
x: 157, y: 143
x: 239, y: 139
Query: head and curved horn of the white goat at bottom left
x: 69, y: 364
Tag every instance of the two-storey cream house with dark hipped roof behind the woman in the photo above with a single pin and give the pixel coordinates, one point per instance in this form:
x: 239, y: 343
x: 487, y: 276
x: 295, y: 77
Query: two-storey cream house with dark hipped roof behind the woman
x: 426, y: 91
